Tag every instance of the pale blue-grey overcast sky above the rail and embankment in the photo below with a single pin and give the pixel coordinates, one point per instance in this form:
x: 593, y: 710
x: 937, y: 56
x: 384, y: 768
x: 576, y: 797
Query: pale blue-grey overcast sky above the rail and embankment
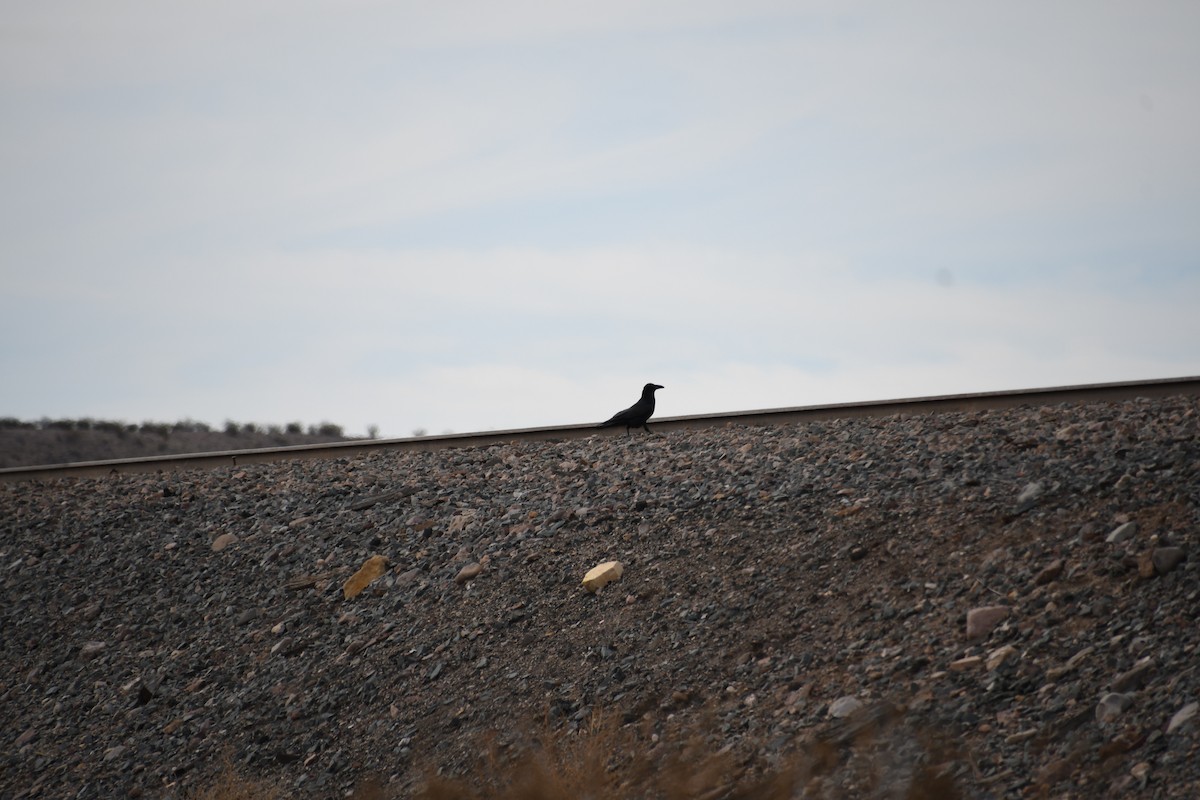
x: 489, y: 215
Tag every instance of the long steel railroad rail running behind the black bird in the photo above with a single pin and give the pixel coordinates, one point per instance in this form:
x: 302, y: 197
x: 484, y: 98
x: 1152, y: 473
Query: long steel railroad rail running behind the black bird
x: 914, y: 406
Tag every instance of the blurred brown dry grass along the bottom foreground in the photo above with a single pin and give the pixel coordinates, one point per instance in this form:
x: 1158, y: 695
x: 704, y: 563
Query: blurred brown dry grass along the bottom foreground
x: 613, y: 763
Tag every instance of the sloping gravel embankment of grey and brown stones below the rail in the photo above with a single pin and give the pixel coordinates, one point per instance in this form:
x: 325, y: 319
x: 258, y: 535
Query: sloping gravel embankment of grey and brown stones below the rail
x: 772, y: 576
